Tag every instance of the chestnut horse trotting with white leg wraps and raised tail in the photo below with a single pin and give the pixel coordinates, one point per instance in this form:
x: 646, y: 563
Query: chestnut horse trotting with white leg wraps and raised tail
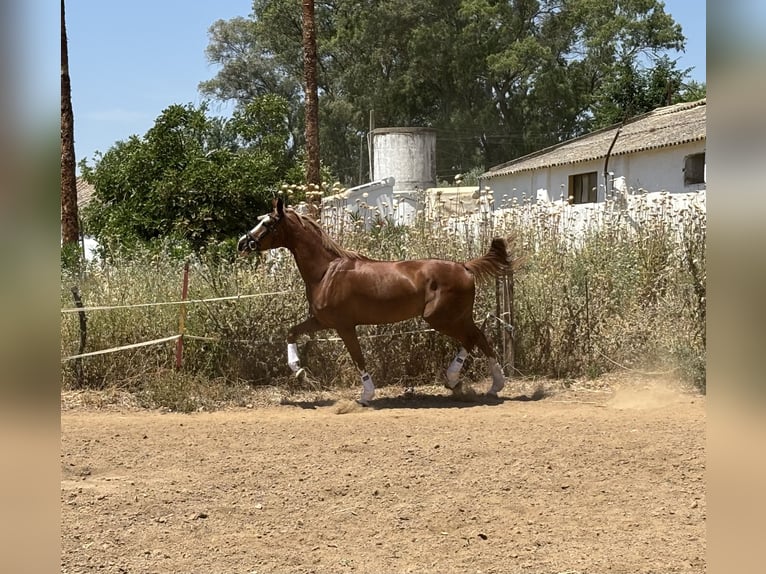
x: 345, y: 289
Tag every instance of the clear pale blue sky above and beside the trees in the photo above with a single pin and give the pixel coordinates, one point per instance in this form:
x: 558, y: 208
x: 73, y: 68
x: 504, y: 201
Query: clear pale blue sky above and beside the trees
x: 128, y: 61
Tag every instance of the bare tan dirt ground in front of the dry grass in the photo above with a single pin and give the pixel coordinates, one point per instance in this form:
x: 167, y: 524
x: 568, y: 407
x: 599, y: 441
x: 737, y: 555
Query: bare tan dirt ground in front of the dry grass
x: 597, y: 477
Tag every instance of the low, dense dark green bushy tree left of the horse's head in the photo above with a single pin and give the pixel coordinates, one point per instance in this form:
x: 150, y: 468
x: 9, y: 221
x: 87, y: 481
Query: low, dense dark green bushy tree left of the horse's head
x: 190, y: 177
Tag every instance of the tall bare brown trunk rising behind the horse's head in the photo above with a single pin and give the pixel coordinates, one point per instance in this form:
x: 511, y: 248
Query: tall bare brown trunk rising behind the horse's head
x: 313, y: 177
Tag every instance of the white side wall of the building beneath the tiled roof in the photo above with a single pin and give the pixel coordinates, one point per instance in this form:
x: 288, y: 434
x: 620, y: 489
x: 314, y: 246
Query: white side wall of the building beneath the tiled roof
x: 652, y: 170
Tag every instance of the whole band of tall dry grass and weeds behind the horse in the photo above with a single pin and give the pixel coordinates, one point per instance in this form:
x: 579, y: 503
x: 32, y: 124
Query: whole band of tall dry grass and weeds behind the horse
x: 627, y: 293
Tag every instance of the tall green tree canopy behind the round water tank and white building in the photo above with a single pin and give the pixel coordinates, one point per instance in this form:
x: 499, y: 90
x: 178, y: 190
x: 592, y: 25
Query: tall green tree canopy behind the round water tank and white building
x: 497, y: 79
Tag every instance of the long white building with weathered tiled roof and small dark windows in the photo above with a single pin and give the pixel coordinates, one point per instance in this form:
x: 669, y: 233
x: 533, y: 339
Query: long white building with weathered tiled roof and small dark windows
x: 663, y: 150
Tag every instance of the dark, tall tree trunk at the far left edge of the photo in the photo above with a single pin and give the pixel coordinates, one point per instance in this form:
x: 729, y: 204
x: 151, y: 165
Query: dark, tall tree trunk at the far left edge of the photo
x: 70, y: 227
